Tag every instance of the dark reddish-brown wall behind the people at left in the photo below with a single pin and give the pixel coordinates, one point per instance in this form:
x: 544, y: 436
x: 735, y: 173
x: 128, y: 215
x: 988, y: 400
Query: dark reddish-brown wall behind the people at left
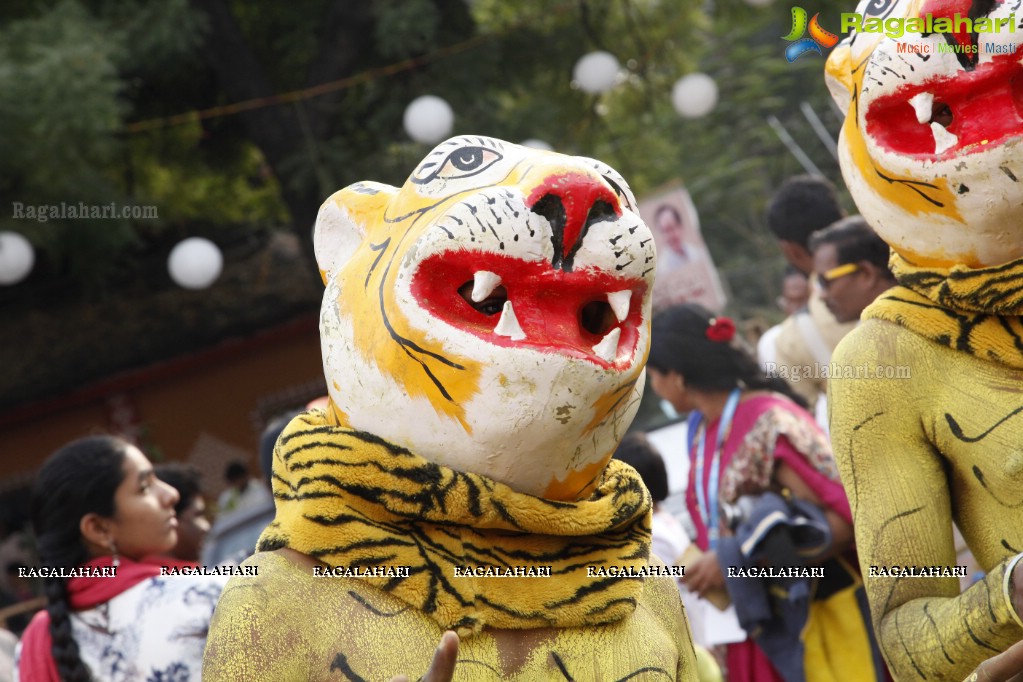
x: 207, y: 408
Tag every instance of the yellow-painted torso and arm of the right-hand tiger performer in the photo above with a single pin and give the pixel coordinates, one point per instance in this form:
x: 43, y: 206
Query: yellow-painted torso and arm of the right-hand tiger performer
x: 925, y: 435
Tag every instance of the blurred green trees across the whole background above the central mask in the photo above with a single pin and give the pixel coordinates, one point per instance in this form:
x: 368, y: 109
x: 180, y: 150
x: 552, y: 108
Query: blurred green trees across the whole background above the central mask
x: 93, y: 95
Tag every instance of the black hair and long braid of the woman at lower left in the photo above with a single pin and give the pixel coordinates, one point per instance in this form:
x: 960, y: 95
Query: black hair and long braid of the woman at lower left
x: 79, y: 479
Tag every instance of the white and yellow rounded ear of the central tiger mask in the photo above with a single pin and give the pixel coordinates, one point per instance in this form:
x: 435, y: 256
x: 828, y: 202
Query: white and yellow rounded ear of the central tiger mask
x: 343, y: 222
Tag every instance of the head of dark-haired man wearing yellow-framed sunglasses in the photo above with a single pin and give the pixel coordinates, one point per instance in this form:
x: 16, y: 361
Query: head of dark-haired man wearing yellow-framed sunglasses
x: 852, y: 265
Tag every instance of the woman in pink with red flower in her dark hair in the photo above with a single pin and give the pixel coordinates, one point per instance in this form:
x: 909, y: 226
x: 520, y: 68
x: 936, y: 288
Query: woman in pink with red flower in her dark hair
x: 749, y: 436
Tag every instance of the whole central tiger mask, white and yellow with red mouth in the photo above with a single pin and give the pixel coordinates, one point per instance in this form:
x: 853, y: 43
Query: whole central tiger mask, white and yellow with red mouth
x: 493, y: 315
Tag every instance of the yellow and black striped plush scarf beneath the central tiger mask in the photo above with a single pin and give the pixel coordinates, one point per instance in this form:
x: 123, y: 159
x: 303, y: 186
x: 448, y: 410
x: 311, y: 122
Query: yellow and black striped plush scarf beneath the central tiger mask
x: 351, y: 499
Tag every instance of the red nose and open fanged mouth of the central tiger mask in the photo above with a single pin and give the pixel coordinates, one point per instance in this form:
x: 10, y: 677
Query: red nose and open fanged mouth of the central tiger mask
x: 547, y: 304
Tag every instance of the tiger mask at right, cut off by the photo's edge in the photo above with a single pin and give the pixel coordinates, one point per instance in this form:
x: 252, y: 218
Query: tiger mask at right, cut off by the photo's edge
x: 932, y: 146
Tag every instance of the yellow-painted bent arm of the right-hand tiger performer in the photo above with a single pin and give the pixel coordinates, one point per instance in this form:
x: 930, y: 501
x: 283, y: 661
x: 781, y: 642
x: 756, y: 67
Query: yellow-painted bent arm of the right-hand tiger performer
x: 899, y: 489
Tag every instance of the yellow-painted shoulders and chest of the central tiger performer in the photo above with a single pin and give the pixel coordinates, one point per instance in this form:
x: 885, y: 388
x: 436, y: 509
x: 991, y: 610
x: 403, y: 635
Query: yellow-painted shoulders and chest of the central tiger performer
x: 287, y: 625
